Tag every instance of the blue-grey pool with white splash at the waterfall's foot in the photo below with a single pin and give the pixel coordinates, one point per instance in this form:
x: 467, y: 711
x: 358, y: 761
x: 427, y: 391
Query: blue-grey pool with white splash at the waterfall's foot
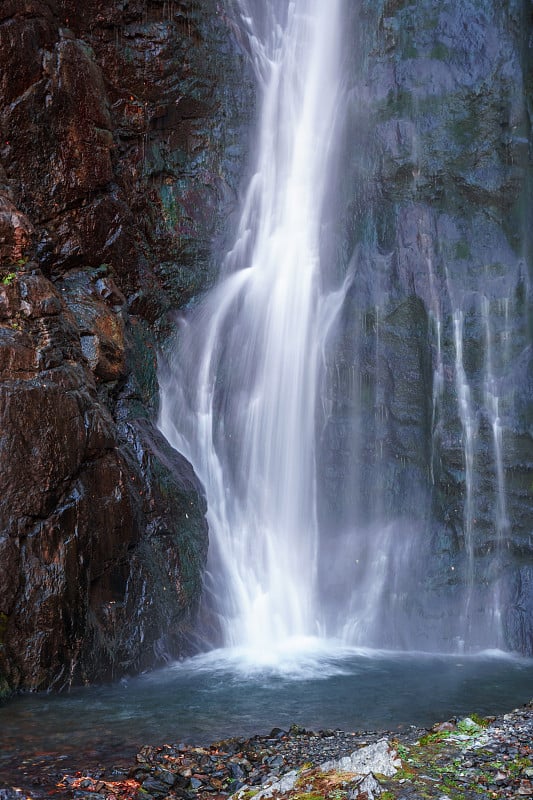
x: 241, y: 692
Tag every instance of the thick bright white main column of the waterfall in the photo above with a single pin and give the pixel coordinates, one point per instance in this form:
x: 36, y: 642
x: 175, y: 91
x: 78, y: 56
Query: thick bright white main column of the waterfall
x: 240, y: 398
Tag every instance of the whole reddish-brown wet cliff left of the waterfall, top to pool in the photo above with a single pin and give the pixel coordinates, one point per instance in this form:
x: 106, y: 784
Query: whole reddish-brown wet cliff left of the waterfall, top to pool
x: 119, y: 162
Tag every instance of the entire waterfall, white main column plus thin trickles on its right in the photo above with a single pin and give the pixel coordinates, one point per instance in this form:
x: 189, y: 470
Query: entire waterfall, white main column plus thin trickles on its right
x: 353, y: 440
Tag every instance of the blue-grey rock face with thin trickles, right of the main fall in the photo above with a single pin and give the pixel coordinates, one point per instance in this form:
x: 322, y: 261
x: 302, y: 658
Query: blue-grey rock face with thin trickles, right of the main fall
x: 428, y: 443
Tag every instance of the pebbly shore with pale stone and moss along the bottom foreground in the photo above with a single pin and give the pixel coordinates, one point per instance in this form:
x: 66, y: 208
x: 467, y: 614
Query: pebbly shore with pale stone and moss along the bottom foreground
x: 468, y: 758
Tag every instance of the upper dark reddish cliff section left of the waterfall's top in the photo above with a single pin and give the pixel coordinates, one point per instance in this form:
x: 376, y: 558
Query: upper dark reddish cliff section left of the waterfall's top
x: 120, y: 142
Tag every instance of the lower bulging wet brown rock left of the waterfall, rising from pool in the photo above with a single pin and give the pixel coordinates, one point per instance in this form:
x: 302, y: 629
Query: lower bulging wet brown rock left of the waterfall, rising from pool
x: 82, y: 539
